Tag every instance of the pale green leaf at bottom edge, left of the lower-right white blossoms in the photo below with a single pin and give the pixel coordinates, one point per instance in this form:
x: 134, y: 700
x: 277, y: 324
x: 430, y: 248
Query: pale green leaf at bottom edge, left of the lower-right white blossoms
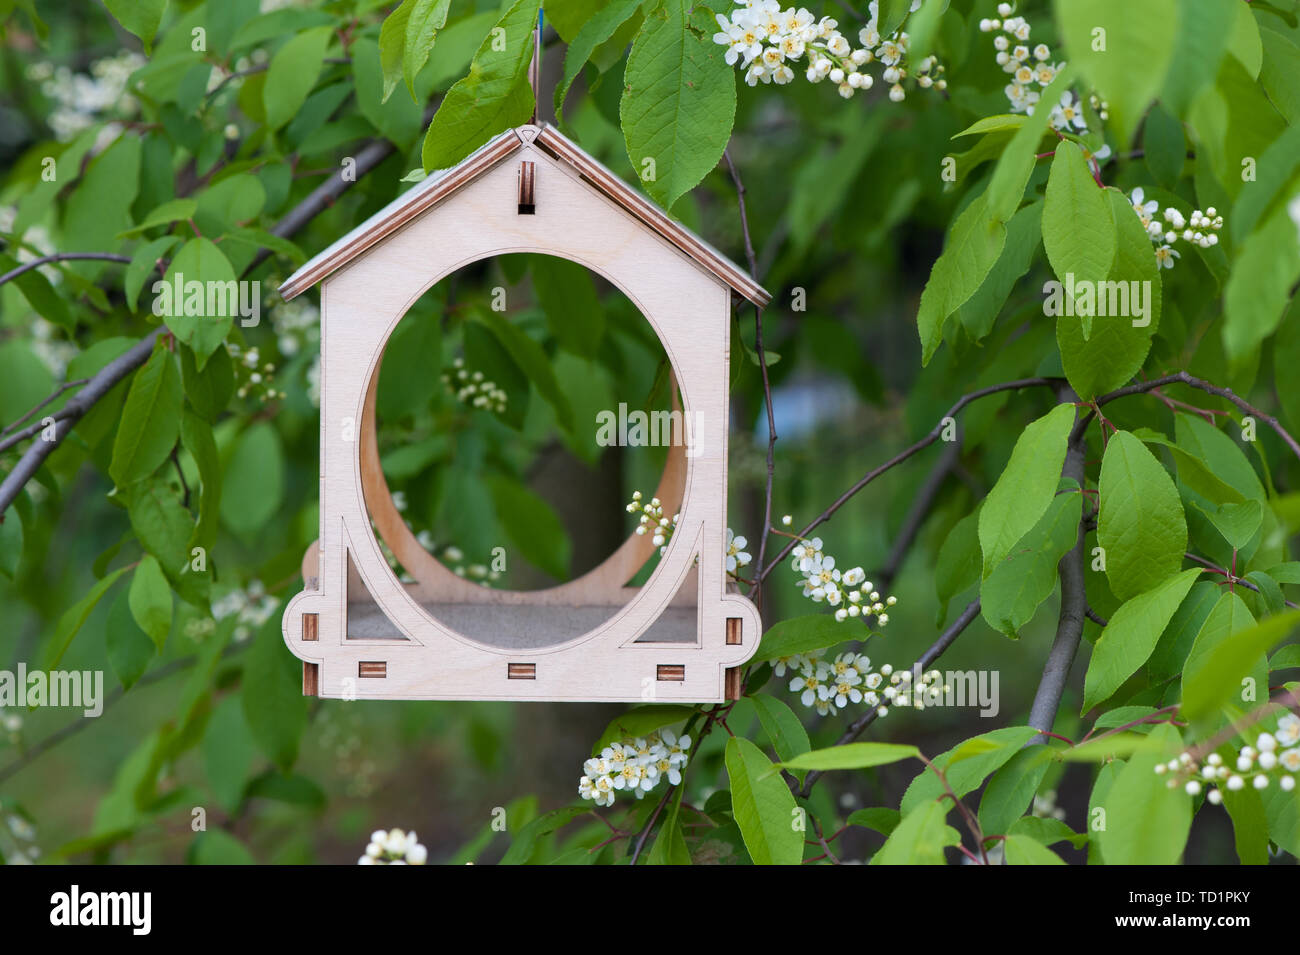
x: 1146, y: 822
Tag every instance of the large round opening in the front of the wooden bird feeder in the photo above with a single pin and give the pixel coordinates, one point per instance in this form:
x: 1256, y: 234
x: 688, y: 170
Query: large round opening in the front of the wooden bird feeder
x: 521, y: 405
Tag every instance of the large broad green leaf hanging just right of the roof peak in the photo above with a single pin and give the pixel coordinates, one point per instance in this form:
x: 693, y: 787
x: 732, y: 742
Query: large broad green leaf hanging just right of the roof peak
x: 679, y: 101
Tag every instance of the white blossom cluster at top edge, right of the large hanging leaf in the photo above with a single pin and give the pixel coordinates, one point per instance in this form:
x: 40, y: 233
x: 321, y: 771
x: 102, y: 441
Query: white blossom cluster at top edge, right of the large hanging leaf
x: 766, y: 40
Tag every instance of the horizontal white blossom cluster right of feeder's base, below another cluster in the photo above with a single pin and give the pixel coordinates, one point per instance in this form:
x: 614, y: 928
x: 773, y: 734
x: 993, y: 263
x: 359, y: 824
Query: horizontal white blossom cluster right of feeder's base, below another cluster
x: 833, y: 685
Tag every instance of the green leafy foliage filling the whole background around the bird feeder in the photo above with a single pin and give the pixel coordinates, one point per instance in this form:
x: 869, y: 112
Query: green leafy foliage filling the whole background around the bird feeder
x: 908, y: 250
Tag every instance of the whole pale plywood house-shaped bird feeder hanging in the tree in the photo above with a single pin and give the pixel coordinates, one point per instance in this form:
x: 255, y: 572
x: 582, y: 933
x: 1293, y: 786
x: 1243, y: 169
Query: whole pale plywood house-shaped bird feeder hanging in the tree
x: 363, y: 635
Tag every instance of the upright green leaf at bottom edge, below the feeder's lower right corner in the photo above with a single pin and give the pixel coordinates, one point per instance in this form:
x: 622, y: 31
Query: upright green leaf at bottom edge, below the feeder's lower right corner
x: 764, y: 808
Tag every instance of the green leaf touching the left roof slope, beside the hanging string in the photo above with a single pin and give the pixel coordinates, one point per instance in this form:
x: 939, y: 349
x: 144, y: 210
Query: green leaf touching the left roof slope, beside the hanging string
x: 493, y: 98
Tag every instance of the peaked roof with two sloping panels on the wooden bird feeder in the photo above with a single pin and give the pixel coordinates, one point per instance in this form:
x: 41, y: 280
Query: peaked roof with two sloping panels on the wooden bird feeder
x: 445, y: 183
